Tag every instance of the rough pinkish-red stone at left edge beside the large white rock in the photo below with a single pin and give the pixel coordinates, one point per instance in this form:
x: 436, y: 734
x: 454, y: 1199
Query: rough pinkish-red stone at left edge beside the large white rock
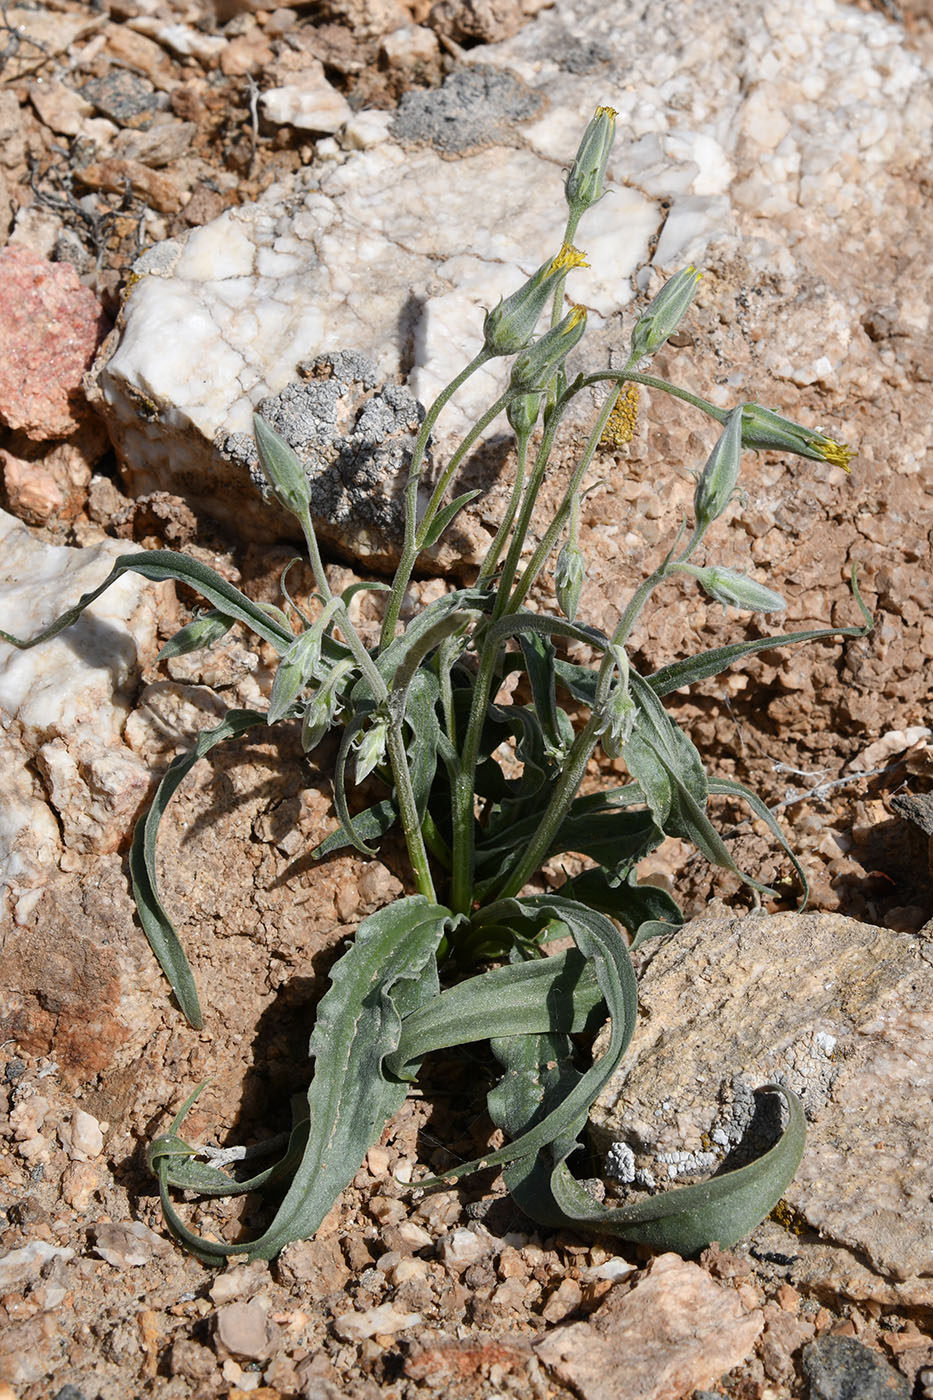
x: 50, y: 331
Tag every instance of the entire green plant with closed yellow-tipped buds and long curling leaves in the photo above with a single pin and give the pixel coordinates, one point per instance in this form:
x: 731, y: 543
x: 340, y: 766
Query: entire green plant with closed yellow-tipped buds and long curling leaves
x: 463, y: 958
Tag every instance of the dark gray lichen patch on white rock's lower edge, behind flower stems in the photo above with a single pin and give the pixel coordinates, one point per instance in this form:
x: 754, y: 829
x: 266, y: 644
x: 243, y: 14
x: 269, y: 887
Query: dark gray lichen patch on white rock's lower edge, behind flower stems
x: 355, y: 440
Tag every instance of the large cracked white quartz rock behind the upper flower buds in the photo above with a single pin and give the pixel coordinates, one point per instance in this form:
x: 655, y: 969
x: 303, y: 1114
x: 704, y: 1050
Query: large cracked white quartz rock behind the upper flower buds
x: 221, y: 323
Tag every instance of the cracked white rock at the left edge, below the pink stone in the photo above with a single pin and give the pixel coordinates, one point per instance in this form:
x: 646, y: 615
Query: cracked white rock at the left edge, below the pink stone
x: 64, y: 706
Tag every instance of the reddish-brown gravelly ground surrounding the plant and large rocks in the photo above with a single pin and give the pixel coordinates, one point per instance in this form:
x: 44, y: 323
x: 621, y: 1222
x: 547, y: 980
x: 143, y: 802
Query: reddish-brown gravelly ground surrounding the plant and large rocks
x: 134, y: 121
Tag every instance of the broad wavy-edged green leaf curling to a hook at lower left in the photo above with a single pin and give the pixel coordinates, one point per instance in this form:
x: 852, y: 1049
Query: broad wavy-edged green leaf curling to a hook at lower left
x: 387, y: 974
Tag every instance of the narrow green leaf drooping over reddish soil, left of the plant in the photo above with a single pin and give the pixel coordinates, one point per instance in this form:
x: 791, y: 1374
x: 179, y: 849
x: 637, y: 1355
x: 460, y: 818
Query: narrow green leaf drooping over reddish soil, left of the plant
x: 142, y: 862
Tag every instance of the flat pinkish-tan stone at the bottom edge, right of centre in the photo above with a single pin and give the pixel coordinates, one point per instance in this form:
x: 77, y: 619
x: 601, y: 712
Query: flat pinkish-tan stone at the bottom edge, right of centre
x: 675, y: 1333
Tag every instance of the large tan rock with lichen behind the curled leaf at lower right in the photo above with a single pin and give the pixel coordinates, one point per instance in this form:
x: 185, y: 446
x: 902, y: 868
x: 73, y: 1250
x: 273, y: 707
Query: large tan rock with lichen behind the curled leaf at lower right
x: 837, y: 1010
